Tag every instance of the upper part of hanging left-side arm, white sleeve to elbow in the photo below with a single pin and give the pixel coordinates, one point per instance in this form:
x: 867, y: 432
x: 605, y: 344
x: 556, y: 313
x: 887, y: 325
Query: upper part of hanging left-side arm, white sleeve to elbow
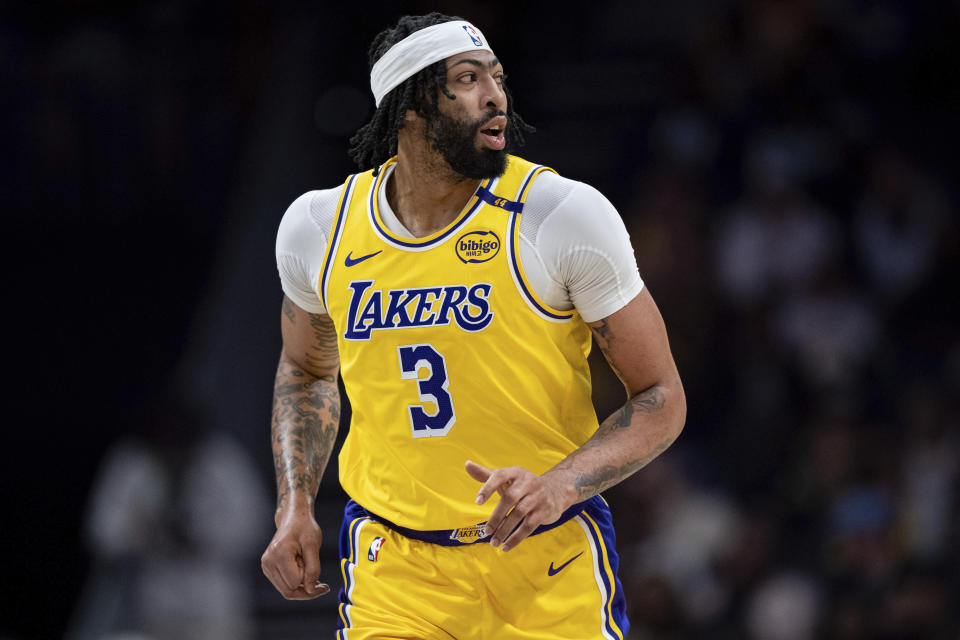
x: 309, y: 340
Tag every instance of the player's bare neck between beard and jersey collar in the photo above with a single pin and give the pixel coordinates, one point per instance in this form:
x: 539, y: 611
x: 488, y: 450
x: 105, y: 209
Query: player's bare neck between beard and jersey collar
x: 424, y: 193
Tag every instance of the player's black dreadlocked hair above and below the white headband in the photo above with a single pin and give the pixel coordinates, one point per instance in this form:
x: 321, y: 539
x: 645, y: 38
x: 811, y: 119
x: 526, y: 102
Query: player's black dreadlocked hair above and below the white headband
x: 376, y: 141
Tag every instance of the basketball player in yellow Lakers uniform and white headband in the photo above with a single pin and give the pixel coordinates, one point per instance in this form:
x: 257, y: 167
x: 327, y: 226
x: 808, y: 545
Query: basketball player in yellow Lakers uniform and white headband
x: 455, y: 288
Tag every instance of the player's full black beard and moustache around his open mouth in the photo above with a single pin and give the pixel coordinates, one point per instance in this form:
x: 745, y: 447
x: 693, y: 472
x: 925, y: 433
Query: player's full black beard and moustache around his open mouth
x: 456, y: 141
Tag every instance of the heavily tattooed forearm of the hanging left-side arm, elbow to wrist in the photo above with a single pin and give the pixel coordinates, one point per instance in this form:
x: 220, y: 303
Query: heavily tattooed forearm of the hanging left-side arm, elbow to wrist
x: 306, y: 413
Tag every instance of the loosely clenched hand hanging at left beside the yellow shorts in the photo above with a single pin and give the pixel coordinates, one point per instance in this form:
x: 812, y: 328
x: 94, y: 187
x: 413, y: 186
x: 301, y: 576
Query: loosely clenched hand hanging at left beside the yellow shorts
x: 292, y: 559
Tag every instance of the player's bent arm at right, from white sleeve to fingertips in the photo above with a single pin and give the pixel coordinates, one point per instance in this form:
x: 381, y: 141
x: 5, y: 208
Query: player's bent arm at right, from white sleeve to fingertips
x: 634, y: 341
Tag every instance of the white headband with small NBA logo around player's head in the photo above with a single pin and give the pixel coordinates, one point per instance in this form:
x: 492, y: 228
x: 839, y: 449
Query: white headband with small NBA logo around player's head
x: 421, y: 49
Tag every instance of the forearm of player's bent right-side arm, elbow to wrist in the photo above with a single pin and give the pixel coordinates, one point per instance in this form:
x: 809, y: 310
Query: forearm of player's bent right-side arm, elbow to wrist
x: 625, y: 442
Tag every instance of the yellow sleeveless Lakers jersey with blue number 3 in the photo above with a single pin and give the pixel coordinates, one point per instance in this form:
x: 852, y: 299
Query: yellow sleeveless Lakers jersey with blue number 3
x: 447, y: 354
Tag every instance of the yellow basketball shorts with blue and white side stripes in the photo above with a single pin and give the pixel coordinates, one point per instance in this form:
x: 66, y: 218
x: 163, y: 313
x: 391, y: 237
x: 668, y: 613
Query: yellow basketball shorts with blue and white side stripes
x: 560, y: 583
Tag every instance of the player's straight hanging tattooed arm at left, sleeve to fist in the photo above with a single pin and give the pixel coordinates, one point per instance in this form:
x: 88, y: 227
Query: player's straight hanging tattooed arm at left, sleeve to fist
x: 306, y: 412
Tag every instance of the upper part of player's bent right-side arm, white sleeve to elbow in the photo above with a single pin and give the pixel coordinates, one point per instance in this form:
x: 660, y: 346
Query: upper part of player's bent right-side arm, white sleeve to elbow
x: 634, y: 342
